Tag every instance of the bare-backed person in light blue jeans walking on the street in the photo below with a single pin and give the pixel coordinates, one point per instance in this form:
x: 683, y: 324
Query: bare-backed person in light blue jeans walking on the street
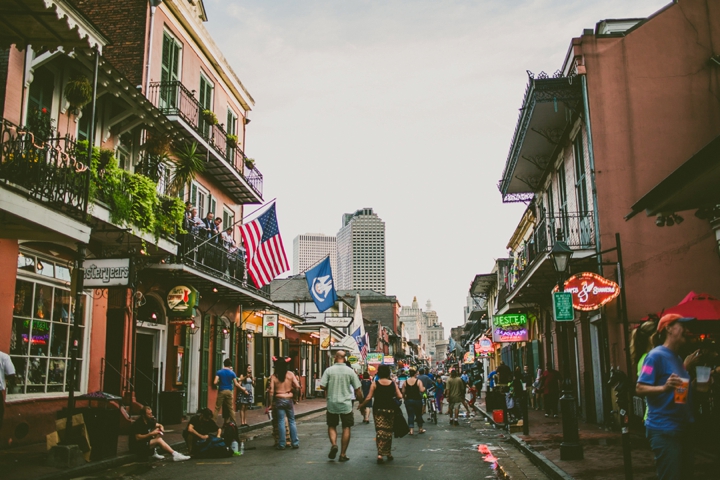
x: 283, y: 384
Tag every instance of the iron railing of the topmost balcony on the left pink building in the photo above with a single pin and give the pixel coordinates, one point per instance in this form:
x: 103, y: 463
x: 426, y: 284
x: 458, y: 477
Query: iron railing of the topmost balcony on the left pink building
x: 173, y: 98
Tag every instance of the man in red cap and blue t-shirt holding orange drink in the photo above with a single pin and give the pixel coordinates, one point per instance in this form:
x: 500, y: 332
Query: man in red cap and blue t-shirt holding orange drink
x: 665, y: 382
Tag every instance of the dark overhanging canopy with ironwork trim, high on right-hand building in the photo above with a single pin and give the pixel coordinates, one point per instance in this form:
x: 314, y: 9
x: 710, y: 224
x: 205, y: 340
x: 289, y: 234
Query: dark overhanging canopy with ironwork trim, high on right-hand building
x: 546, y: 115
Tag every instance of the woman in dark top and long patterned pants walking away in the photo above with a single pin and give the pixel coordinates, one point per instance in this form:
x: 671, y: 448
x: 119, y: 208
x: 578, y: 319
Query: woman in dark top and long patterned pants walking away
x: 383, y: 393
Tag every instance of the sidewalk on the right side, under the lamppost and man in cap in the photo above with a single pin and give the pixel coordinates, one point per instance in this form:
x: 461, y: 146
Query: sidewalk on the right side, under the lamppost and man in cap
x: 603, y: 456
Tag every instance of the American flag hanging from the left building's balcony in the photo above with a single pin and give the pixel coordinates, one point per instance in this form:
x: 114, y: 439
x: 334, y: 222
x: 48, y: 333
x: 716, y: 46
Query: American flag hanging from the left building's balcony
x: 266, y: 257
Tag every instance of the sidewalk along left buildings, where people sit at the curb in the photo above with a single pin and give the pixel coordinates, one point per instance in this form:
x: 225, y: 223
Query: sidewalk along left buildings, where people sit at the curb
x: 28, y: 461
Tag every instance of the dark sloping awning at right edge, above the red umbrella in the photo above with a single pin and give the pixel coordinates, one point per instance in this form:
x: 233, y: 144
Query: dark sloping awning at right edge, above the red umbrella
x: 693, y: 185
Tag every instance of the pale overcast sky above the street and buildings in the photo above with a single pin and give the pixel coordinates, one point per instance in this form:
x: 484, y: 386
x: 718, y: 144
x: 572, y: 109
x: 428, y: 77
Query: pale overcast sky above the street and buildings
x: 405, y: 106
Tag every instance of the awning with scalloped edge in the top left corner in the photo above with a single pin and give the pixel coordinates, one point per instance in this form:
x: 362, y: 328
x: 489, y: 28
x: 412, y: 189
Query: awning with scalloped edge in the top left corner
x: 46, y: 23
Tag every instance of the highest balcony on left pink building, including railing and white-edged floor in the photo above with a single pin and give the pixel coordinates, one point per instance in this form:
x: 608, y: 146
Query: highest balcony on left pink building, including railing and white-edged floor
x: 226, y: 164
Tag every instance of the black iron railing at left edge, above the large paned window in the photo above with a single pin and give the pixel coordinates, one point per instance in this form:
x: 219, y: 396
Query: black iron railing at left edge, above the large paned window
x: 46, y: 170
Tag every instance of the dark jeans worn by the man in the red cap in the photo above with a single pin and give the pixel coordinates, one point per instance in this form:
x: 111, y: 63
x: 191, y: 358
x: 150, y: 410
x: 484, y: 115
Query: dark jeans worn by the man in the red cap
x: 673, y: 454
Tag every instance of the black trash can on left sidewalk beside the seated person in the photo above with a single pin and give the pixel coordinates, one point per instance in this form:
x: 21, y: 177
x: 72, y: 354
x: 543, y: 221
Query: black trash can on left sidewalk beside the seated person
x: 103, y: 429
